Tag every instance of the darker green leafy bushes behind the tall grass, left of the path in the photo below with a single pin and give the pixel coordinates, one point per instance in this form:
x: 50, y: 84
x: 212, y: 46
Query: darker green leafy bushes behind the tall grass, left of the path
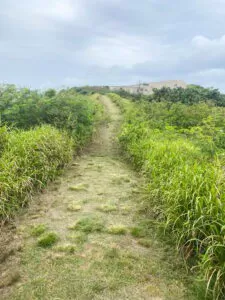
x: 23, y: 108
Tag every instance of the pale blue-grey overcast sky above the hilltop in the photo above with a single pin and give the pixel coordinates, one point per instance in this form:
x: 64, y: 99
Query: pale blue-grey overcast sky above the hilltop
x: 47, y: 43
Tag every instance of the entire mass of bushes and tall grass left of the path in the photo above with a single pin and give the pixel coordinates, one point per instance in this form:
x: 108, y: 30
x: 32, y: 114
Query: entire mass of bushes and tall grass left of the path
x: 43, y: 130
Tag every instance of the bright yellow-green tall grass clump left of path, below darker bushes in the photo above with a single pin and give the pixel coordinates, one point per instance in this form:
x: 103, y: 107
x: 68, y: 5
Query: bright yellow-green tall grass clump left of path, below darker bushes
x: 31, y: 159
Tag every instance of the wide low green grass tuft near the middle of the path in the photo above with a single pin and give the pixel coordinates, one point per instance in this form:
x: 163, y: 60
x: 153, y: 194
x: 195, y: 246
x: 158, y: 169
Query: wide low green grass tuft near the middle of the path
x: 88, y: 225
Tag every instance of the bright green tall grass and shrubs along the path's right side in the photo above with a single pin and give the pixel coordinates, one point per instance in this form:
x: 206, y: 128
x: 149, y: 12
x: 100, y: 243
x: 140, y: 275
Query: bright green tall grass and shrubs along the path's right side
x: 180, y: 150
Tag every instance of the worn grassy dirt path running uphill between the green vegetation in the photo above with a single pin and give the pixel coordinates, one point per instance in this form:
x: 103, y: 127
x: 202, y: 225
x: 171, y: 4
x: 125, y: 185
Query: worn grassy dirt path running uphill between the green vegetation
x: 102, y: 251
